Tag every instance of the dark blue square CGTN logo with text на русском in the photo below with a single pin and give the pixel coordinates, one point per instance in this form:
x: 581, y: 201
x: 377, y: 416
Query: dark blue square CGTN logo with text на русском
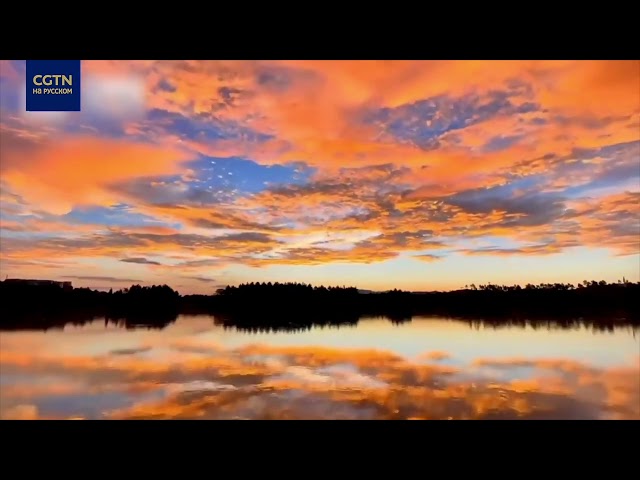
x: 53, y: 85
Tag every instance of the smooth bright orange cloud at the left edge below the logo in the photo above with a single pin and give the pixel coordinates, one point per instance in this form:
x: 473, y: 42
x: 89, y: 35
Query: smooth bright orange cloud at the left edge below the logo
x: 62, y: 172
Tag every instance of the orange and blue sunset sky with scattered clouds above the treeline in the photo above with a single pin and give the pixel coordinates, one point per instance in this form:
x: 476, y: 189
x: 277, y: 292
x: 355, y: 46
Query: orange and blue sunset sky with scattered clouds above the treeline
x: 419, y: 175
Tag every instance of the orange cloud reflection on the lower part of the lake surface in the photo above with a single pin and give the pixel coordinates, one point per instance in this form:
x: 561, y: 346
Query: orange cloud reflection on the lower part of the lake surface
x: 188, y: 379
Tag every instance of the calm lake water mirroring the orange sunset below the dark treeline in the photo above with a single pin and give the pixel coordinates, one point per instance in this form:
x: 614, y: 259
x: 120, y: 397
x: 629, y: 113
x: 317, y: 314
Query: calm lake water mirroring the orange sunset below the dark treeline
x: 428, y: 368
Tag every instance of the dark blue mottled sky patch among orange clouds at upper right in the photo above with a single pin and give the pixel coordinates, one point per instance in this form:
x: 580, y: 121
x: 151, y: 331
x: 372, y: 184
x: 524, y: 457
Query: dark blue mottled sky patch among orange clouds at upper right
x: 422, y: 122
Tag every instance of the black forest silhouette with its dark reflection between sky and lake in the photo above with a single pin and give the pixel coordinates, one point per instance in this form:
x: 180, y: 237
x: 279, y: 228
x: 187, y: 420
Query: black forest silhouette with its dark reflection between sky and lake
x: 264, y: 306
